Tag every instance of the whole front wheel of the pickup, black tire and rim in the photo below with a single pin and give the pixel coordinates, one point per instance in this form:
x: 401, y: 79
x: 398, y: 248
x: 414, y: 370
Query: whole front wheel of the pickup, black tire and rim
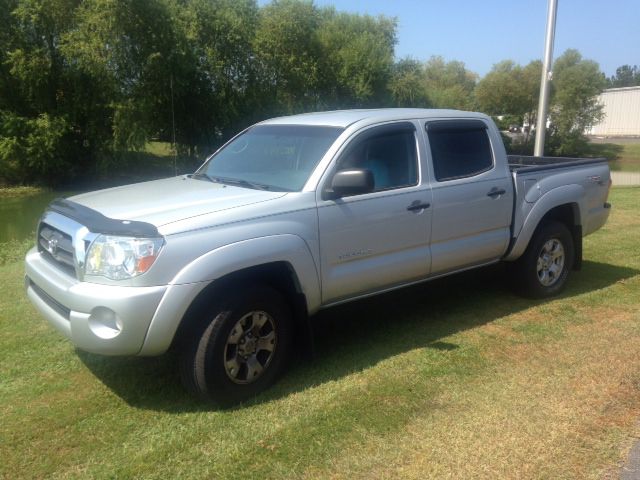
x: 240, y: 347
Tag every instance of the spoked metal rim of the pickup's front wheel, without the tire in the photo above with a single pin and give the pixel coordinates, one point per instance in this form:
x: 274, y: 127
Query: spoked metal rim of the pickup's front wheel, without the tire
x: 250, y: 347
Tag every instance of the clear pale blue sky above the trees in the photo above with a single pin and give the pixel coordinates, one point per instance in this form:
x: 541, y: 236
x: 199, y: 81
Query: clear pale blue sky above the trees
x: 481, y: 33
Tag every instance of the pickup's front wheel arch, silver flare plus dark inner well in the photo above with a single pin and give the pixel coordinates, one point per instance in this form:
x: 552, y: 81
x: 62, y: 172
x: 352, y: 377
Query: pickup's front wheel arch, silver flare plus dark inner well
x: 282, y: 261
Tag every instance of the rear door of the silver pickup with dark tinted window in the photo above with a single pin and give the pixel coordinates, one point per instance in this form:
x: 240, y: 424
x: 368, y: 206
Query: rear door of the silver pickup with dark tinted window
x: 472, y: 196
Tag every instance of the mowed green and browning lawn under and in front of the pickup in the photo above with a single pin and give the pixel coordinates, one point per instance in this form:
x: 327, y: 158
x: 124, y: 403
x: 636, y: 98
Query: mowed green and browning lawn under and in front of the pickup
x: 457, y: 378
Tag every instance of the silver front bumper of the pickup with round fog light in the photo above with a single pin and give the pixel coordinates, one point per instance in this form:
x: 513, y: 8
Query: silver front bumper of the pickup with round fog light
x: 105, y: 319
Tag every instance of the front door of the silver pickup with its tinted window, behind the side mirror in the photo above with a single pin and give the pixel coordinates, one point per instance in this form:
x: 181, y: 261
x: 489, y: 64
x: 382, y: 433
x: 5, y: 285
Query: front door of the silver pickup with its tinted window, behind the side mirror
x: 379, y: 239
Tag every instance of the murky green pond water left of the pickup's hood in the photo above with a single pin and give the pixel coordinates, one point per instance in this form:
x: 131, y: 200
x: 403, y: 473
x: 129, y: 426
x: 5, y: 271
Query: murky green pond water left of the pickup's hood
x: 19, y: 215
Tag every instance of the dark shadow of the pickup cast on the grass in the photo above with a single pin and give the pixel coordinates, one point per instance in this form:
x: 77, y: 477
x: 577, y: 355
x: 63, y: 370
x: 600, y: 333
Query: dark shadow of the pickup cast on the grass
x: 357, y: 335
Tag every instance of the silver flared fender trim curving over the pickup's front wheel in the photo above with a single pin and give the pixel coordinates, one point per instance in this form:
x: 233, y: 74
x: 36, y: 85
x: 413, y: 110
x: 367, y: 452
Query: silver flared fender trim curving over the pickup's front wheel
x: 195, y: 276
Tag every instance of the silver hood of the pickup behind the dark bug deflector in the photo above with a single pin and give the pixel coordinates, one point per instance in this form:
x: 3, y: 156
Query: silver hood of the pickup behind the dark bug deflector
x: 161, y: 202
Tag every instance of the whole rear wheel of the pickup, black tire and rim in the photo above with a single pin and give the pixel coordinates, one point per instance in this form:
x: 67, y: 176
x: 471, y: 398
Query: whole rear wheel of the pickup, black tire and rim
x: 543, y: 269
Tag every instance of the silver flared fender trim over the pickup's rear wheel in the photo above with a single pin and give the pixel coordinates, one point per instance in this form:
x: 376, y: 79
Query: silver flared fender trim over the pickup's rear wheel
x: 566, y: 194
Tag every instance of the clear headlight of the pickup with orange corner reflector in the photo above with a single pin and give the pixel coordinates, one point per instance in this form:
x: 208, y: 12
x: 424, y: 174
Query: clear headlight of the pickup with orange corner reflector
x: 120, y: 258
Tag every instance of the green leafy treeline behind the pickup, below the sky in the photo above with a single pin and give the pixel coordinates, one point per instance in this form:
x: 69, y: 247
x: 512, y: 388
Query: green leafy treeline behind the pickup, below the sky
x: 83, y: 81
